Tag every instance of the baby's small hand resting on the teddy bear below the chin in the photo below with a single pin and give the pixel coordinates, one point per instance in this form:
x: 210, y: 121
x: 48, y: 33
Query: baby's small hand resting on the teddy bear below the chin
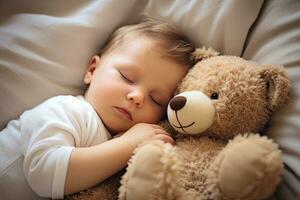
x: 142, y: 132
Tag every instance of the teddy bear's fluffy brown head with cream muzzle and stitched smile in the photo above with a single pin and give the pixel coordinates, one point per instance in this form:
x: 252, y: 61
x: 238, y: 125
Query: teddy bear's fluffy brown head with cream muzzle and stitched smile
x: 223, y: 96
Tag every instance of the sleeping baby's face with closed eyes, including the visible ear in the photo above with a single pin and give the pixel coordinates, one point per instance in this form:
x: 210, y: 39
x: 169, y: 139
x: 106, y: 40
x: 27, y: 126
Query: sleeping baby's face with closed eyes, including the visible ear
x: 131, y: 84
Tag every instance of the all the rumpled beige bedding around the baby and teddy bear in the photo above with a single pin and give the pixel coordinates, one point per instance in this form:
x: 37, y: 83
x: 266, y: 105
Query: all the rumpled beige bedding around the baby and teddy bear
x: 45, y: 46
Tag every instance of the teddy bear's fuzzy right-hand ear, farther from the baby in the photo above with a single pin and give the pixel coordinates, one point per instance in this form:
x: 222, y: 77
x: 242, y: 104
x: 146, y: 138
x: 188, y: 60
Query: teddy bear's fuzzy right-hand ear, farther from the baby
x: 277, y: 85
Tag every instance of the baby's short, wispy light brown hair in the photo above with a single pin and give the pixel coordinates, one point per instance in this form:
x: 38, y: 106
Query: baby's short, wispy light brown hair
x: 174, y: 44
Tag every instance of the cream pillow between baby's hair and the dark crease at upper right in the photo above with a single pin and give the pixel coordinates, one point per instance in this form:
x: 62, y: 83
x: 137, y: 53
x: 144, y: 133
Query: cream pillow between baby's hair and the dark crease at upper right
x: 223, y: 25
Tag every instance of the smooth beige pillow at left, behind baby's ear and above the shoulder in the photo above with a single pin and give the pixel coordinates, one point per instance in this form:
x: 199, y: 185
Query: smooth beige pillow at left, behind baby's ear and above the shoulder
x: 45, y: 47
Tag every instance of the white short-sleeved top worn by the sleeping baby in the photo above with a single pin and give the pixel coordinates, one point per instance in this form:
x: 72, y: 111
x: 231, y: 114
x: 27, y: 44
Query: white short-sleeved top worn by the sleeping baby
x: 35, y: 149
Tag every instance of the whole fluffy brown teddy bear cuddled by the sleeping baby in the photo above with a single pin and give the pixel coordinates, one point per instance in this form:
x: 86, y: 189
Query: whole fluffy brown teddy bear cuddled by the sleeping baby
x: 217, y: 117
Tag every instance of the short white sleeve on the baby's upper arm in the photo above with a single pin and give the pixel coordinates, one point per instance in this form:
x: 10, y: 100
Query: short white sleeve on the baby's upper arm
x: 49, y: 134
